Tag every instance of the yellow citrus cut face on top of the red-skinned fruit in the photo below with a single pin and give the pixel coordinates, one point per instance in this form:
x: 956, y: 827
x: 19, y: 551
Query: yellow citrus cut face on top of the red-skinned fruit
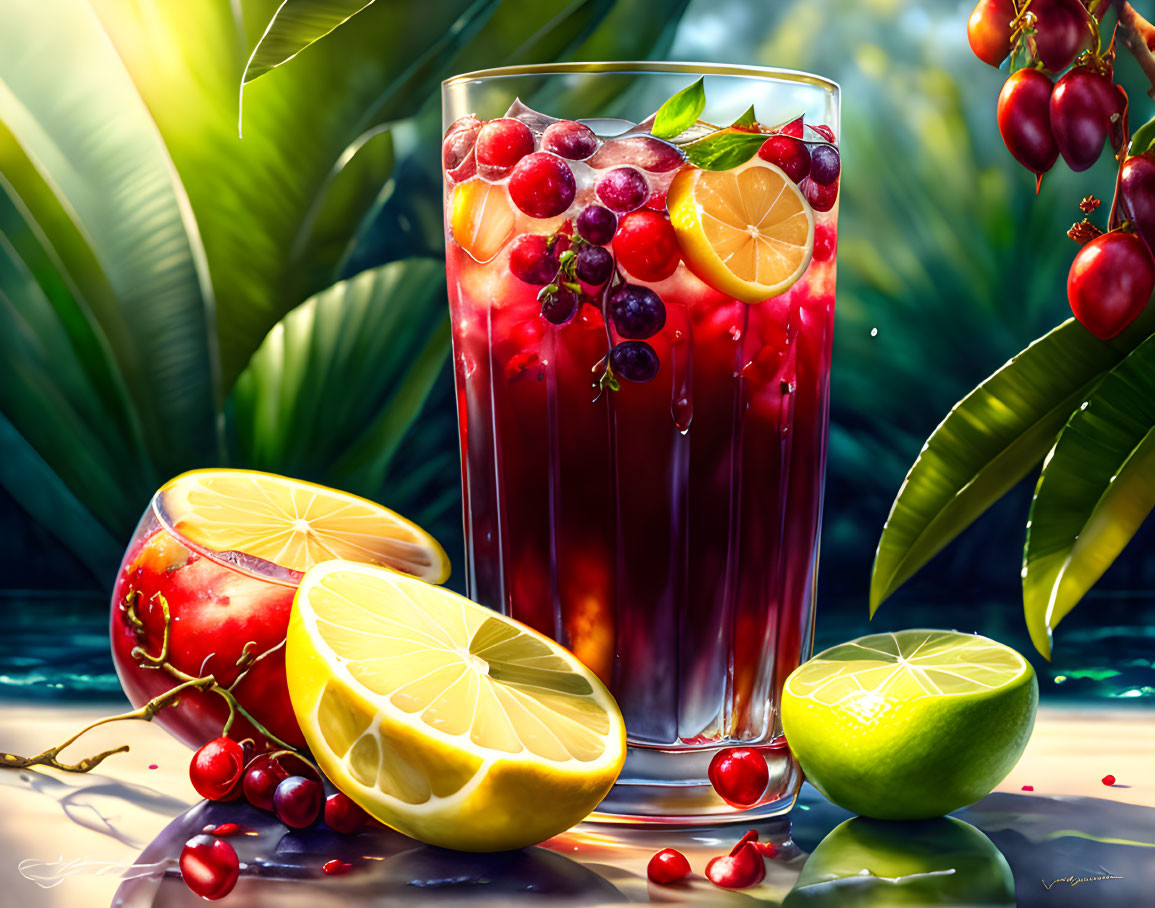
x: 294, y: 524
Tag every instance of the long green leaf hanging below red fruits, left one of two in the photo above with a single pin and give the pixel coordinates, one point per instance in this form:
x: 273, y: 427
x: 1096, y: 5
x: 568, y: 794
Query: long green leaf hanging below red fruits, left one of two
x: 988, y: 443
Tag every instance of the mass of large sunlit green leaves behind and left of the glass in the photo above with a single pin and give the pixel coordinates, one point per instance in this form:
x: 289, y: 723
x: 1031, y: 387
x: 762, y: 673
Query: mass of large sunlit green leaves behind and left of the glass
x: 175, y: 296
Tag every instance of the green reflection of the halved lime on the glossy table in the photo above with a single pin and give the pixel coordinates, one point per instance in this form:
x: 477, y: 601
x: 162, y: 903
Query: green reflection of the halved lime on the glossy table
x: 865, y: 864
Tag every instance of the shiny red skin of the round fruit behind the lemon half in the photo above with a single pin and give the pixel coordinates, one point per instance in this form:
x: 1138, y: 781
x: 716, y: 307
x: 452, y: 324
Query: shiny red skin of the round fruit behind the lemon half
x: 214, y: 613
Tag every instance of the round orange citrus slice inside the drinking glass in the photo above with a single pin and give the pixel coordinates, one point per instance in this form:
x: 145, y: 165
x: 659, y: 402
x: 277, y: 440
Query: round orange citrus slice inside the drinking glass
x: 748, y: 233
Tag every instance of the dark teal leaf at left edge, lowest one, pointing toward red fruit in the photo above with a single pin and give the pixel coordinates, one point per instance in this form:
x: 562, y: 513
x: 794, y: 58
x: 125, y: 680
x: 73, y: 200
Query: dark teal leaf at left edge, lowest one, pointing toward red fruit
x: 41, y: 492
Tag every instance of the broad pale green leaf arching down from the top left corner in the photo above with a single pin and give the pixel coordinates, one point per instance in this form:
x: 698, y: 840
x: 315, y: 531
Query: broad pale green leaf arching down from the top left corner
x: 116, y: 219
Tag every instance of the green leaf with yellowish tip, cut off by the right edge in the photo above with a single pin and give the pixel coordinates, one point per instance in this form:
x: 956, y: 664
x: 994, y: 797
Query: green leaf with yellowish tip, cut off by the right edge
x: 1097, y: 488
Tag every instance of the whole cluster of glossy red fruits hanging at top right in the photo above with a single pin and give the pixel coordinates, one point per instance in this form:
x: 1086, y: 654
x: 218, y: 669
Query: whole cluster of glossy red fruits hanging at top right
x: 1114, y: 274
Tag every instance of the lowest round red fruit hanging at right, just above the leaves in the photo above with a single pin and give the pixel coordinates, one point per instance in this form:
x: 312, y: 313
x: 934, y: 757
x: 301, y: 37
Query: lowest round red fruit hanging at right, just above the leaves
x: 1111, y: 282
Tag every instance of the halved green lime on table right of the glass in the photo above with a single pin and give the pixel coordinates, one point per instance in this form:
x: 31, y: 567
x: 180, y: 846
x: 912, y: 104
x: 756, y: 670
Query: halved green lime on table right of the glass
x: 911, y: 725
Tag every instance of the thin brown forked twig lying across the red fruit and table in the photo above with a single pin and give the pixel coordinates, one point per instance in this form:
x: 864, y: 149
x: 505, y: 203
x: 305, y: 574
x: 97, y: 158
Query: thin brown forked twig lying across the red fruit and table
x: 146, y: 713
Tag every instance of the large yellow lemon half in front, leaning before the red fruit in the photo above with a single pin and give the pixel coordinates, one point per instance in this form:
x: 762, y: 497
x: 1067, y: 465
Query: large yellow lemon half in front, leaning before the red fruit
x: 443, y: 719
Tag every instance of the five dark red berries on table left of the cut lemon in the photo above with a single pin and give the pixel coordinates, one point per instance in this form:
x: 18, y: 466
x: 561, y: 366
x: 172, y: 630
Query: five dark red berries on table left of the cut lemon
x: 278, y: 783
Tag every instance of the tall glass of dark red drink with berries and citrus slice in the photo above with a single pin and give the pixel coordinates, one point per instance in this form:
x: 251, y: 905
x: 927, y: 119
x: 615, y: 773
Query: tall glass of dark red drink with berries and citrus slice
x: 643, y: 309
